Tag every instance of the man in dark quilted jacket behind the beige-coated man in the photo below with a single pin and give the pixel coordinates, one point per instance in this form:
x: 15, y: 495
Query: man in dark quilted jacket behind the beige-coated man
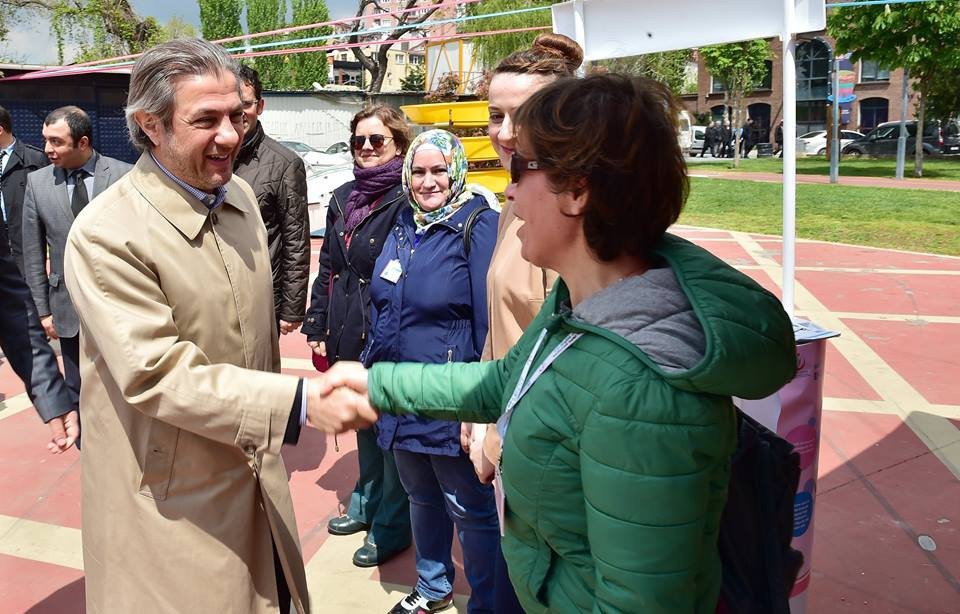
x: 279, y: 180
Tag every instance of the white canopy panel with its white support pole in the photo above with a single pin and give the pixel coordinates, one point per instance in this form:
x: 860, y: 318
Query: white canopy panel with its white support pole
x: 619, y: 28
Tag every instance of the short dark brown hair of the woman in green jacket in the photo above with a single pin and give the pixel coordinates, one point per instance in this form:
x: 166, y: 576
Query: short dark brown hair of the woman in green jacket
x: 617, y: 137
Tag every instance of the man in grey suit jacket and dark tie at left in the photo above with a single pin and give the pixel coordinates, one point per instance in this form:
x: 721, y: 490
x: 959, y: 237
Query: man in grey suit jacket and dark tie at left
x: 54, y: 196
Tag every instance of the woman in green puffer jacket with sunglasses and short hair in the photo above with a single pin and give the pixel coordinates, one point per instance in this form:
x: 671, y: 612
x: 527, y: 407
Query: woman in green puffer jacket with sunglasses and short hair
x: 615, y: 405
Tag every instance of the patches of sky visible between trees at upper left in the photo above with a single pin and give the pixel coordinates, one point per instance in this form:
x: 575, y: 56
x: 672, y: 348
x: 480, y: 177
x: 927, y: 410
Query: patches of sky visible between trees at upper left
x: 33, y: 42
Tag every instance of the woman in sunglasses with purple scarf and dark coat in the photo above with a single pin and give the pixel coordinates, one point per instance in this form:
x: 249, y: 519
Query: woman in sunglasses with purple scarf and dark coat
x: 360, y: 215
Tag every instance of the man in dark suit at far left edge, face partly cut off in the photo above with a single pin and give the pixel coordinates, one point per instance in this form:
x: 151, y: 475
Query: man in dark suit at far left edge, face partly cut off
x: 17, y: 159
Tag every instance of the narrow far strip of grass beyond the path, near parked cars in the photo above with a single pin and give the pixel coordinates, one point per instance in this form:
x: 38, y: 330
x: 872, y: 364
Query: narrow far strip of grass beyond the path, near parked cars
x: 933, y: 168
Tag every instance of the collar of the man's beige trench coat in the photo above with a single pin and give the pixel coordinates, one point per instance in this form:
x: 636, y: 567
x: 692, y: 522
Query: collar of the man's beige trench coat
x: 175, y: 204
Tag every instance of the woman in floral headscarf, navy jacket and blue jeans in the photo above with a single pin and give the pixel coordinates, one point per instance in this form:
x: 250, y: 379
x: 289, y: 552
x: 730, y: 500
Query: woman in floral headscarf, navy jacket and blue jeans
x: 430, y: 306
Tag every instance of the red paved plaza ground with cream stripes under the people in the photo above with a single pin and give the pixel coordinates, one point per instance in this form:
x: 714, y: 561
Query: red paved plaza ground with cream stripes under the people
x: 887, y: 523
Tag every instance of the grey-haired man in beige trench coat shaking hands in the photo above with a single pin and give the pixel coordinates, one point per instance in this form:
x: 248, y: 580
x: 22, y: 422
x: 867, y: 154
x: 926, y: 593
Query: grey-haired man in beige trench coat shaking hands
x: 185, y: 500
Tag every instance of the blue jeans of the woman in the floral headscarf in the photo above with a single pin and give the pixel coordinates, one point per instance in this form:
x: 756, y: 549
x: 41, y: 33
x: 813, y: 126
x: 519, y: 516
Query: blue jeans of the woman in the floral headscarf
x: 444, y: 490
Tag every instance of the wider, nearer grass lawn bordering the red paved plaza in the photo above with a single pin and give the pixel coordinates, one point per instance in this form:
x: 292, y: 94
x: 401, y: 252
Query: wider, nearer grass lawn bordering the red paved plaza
x: 915, y: 220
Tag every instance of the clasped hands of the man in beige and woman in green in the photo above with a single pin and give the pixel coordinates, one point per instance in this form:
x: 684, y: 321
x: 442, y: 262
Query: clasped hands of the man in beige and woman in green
x: 337, y: 400
